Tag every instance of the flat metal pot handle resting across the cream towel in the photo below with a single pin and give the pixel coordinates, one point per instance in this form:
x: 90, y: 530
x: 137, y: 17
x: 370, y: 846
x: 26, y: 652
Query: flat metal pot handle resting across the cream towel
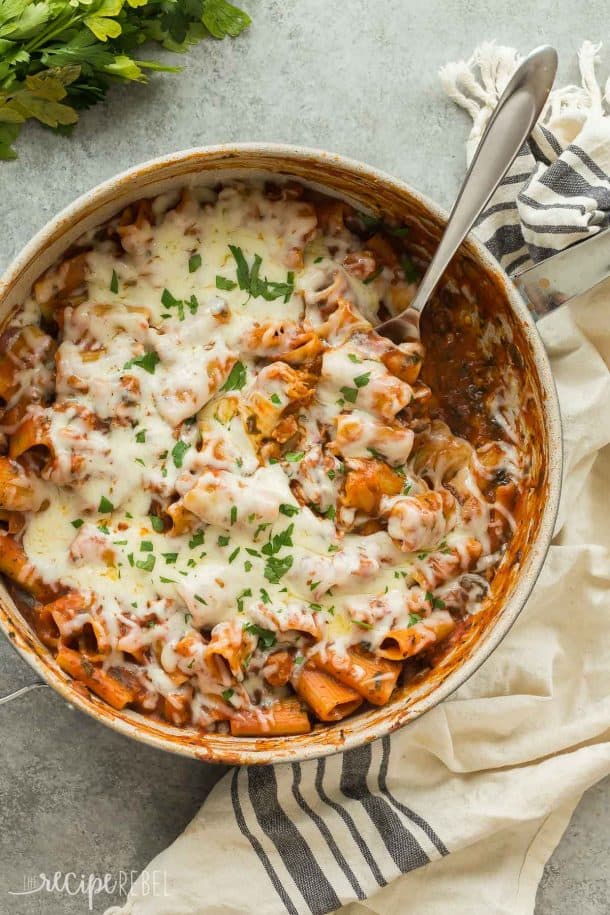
x: 565, y: 275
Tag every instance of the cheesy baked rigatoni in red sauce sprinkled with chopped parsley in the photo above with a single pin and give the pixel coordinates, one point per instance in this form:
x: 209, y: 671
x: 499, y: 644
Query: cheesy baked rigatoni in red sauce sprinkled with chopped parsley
x: 227, y: 502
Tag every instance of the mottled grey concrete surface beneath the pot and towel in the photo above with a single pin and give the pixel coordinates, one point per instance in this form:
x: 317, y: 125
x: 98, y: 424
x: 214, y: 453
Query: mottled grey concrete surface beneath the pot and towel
x: 358, y: 77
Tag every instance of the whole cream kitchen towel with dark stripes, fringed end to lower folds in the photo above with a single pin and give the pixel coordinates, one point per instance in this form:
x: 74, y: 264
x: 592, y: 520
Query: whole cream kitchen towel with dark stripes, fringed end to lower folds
x: 459, y: 811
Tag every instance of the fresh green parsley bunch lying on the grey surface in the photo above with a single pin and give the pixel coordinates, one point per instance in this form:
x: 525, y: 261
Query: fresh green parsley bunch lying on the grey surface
x: 58, y: 57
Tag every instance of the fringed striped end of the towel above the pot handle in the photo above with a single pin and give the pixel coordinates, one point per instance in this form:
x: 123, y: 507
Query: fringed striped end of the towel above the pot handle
x: 557, y: 191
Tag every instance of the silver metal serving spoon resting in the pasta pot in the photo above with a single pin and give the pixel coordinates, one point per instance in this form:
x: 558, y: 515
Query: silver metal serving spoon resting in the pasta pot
x: 517, y: 111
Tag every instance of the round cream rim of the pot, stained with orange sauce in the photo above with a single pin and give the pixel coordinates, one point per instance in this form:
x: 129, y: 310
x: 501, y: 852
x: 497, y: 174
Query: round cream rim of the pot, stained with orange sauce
x: 374, y: 724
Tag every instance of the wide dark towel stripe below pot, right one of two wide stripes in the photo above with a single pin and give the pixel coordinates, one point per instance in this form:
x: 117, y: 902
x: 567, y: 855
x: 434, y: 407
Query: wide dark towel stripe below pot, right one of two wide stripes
x: 402, y: 845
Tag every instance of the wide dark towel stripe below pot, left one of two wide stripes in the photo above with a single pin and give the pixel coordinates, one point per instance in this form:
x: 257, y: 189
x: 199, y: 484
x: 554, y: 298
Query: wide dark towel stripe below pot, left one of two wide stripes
x: 295, y: 853
